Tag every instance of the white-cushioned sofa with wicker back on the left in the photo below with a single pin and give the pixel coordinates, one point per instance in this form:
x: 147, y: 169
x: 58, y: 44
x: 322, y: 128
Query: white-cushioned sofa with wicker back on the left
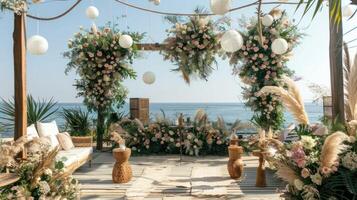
x: 72, y: 158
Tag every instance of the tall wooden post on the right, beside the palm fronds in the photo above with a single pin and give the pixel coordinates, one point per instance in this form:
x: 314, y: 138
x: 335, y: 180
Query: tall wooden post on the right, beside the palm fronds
x: 336, y: 66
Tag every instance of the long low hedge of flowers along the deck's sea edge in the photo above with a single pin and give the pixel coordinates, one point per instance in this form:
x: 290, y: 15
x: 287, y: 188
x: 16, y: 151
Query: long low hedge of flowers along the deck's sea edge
x: 200, y: 138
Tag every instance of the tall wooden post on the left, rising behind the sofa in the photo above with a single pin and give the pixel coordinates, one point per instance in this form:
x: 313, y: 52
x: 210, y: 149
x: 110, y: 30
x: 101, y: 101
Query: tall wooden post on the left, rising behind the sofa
x: 19, y: 50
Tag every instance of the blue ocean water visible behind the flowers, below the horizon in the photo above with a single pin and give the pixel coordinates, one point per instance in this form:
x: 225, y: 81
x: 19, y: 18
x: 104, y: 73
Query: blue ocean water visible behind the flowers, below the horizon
x: 229, y: 111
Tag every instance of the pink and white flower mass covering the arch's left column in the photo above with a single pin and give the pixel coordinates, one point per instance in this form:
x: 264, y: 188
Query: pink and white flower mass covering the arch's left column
x: 102, y: 65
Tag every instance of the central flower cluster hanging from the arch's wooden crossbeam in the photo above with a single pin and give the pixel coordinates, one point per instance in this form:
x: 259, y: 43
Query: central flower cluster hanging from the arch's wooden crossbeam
x: 192, y: 45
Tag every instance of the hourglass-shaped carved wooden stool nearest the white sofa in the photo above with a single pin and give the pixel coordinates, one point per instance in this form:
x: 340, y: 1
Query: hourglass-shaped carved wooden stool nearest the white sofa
x: 122, y: 172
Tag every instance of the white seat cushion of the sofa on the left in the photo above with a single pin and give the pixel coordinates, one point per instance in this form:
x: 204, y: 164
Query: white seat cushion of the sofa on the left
x: 73, y: 156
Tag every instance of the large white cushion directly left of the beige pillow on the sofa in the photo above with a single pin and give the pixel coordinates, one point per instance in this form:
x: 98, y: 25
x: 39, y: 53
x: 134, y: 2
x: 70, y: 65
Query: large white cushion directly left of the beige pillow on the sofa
x: 50, y: 131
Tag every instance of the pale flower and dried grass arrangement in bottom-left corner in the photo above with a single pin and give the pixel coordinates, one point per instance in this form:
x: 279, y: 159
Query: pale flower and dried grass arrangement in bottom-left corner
x: 41, y: 176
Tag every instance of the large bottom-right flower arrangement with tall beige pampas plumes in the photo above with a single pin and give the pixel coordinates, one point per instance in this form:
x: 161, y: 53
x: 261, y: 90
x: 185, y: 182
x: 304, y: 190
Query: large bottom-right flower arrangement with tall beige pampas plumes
x: 321, y: 163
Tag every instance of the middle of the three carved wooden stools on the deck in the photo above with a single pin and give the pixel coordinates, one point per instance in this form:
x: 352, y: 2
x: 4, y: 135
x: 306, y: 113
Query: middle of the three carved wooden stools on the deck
x: 235, y: 162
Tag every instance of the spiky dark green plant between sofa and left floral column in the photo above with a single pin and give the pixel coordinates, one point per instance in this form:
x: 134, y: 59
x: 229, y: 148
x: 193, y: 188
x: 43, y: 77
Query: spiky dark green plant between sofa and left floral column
x: 77, y: 121
